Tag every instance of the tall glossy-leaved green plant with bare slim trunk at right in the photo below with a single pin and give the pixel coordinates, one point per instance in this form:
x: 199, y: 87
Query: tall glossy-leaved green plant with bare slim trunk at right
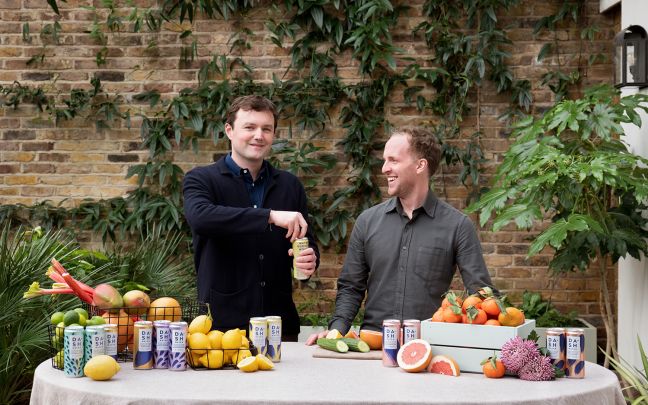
x: 570, y: 167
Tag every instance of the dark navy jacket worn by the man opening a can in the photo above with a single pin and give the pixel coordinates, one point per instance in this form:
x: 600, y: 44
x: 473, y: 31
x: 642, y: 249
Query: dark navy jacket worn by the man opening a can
x: 241, y: 261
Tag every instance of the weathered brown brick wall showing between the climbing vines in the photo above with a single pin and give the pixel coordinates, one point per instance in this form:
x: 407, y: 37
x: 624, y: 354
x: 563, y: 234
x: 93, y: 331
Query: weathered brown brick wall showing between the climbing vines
x: 73, y: 160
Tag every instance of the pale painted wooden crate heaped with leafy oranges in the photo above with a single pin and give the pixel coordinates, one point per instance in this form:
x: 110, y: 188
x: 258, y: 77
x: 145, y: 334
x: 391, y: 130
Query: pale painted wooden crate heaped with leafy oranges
x: 470, y: 344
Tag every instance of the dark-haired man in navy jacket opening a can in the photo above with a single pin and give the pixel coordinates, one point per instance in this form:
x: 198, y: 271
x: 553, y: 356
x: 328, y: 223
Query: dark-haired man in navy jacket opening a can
x: 244, y: 213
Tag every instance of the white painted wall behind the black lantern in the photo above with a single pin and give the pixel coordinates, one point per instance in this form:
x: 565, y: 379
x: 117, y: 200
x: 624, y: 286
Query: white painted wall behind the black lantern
x: 633, y: 274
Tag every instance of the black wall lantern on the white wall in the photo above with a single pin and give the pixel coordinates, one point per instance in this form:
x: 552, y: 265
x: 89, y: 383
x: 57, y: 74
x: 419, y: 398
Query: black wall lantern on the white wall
x: 631, y: 51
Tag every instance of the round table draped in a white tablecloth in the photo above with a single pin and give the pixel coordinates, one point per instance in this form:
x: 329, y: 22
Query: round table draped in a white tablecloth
x: 299, y: 378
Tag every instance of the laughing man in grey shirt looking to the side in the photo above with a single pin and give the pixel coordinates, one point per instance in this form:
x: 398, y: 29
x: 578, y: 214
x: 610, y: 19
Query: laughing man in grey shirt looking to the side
x: 404, y: 251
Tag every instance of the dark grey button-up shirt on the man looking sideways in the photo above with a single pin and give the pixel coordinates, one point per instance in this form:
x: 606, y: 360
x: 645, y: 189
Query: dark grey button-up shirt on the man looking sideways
x: 404, y: 265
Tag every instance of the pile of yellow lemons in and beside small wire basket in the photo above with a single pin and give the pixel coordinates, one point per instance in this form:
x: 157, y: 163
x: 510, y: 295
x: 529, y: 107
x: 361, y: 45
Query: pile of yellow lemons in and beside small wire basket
x: 214, y: 349
